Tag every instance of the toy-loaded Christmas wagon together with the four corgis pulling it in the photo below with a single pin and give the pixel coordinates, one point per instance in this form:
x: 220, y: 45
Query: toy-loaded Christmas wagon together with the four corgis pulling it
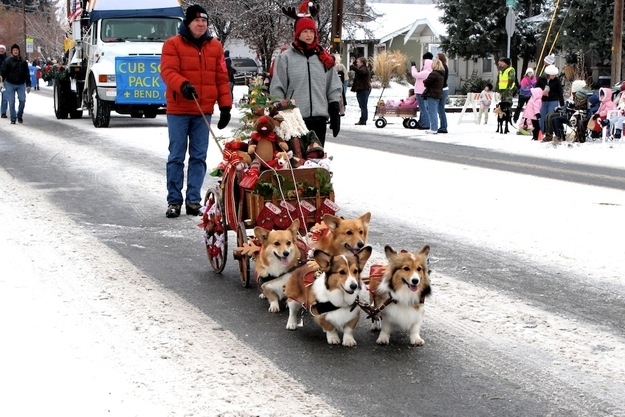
x: 276, y: 195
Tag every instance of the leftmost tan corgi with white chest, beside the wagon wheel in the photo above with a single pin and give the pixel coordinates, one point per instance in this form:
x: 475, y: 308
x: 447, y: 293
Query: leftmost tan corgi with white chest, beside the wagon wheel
x: 279, y: 256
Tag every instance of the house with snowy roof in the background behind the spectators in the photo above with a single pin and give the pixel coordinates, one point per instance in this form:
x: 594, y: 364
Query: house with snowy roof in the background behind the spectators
x: 413, y: 28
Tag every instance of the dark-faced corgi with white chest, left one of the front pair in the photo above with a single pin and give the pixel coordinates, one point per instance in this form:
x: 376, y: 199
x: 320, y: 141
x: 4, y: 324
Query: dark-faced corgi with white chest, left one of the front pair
x: 332, y: 297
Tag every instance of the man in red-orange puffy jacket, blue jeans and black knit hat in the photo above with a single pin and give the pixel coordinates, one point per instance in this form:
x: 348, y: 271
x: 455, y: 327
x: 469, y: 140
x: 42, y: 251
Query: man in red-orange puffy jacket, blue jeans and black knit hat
x: 194, y: 70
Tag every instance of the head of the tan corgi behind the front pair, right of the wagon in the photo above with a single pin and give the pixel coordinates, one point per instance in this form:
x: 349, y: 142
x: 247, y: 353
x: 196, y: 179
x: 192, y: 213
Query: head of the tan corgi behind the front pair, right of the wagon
x: 344, y: 236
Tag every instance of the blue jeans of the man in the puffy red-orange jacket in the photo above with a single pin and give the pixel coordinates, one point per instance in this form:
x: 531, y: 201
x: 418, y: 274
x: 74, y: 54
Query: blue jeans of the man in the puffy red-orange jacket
x: 186, y: 131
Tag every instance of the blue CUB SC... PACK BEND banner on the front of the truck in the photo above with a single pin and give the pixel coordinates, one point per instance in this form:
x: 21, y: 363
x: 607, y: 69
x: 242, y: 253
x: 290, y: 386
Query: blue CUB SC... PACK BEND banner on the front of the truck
x: 139, y: 80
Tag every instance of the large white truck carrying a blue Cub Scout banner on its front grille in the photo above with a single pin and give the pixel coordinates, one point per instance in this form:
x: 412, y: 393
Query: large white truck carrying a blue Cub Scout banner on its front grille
x: 115, y: 62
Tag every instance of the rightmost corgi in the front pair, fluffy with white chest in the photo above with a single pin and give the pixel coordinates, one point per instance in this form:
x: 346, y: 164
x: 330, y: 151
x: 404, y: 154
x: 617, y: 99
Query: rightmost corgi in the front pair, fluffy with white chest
x: 399, y: 295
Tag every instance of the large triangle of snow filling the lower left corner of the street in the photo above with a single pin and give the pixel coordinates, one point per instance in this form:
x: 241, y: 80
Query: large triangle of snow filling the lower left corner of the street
x: 90, y: 335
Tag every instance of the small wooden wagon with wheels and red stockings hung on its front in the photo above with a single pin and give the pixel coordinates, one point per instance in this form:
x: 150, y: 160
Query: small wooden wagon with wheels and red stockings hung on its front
x: 279, y: 197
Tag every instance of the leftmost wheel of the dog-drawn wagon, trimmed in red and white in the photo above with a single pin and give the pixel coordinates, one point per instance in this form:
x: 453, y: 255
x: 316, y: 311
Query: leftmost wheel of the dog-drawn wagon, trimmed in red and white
x: 215, y: 231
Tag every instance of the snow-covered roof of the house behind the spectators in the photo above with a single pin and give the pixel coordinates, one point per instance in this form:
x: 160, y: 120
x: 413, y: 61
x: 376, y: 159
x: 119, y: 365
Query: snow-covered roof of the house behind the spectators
x: 416, y: 20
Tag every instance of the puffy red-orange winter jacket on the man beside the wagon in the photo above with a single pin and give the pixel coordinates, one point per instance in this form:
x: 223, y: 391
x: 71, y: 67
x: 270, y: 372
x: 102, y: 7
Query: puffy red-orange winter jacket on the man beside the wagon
x: 205, y: 68
